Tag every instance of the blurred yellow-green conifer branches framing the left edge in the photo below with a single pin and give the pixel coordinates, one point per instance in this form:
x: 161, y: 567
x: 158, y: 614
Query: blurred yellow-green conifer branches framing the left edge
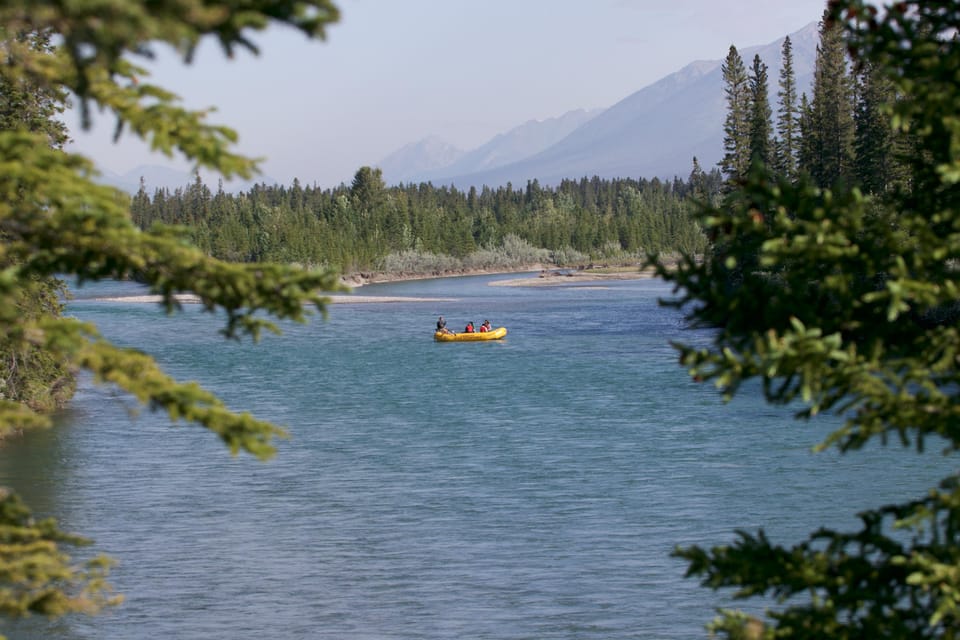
x: 54, y: 219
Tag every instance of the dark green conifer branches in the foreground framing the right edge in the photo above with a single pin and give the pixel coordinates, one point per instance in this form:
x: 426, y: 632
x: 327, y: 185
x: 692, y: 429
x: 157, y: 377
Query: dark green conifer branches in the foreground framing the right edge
x: 847, y: 304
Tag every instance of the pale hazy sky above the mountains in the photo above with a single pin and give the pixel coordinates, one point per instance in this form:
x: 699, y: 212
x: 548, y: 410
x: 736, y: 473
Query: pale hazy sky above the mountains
x: 393, y: 72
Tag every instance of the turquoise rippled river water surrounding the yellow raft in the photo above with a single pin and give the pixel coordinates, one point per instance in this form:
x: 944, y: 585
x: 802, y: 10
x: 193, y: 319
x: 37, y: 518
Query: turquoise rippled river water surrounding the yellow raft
x: 527, y: 488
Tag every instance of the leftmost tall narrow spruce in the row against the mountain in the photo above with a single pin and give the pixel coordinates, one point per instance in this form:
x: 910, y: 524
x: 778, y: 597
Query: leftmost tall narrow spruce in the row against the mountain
x: 736, y: 128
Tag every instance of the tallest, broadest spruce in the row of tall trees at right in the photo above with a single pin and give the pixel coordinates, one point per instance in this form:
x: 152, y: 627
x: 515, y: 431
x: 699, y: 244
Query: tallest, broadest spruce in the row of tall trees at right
x: 831, y: 134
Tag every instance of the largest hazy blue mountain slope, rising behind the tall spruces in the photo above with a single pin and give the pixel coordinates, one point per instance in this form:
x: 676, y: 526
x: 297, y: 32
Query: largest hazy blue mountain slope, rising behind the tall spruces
x: 655, y: 132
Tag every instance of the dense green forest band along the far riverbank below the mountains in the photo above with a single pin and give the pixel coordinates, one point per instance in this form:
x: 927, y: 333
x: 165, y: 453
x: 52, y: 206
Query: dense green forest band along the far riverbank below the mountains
x: 368, y: 226
